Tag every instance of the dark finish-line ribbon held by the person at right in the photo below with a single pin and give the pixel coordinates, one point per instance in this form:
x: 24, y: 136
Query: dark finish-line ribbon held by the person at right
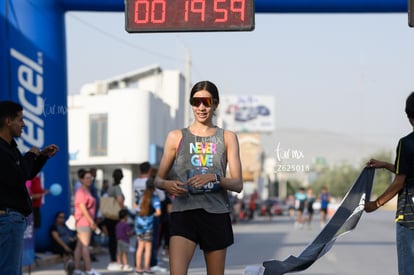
x: 344, y: 220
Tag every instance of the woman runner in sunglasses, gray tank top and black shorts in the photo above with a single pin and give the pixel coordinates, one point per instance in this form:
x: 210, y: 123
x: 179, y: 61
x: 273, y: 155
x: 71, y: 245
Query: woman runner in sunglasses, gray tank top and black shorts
x: 199, y: 156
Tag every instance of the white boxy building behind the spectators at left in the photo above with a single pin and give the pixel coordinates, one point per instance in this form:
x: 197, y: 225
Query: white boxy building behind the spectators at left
x: 123, y: 121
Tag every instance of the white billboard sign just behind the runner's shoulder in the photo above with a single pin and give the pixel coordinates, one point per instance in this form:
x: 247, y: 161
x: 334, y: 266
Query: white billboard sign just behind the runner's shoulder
x: 247, y: 113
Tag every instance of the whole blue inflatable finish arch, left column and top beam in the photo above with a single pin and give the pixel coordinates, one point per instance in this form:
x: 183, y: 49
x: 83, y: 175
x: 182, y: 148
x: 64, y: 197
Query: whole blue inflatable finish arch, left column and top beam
x: 33, y: 71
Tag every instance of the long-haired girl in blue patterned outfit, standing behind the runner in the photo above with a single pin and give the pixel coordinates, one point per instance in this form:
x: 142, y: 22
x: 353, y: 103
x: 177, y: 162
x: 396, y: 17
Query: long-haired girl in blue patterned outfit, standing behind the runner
x: 148, y: 206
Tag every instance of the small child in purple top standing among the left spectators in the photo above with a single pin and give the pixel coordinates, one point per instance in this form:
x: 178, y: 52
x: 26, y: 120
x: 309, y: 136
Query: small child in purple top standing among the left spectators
x: 123, y: 230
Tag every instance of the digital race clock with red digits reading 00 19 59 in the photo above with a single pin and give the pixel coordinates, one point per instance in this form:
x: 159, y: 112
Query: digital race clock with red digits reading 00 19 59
x: 188, y: 15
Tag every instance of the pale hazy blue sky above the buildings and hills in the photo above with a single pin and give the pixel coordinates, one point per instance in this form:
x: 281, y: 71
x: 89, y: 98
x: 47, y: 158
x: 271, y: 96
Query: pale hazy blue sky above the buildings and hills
x: 345, y: 73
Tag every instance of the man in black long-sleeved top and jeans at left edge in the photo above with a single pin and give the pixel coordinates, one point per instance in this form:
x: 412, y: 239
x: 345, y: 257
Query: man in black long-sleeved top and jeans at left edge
x: 15, y: 170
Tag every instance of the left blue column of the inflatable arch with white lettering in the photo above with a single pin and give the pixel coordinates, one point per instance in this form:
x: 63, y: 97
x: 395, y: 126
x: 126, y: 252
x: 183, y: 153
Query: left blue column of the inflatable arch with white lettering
x: 33, y: 73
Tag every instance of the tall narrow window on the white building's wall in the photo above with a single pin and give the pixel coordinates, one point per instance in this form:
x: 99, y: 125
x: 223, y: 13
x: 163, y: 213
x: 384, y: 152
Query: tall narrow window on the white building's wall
x: 98, y: 141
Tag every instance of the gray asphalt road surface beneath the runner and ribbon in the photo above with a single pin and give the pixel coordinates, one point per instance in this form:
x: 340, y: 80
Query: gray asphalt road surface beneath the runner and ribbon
x: 369, y: 249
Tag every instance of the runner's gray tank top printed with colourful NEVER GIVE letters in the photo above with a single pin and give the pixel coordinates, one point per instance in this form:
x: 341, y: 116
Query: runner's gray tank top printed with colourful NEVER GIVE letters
x: 201, y: 155
